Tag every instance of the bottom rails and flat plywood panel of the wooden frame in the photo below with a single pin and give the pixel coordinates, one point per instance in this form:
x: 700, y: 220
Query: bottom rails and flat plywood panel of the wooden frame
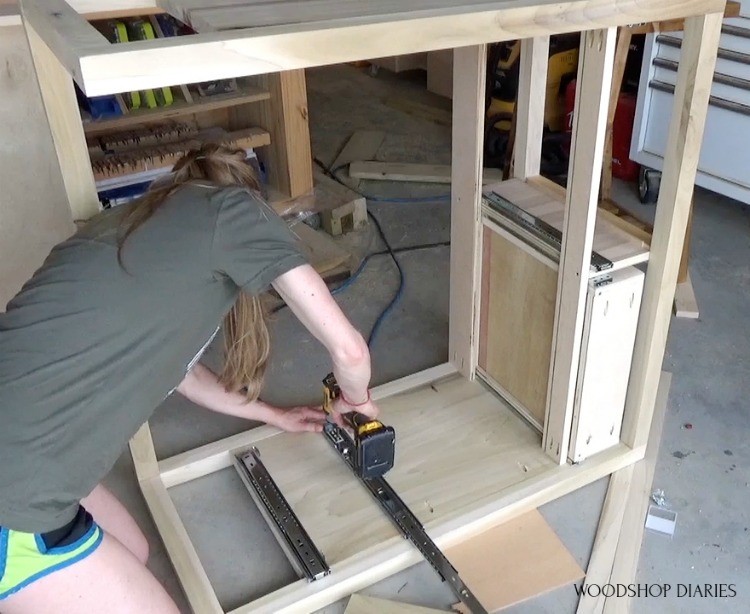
x: 465, y: 463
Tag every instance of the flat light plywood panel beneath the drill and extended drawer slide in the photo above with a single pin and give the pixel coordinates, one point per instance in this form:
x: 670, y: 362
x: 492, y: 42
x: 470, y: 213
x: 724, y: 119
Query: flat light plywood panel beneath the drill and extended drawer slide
x: 457, y: 446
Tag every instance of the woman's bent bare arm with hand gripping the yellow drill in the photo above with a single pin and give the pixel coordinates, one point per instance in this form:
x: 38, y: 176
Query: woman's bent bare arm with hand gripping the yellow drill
x: 309, y: 299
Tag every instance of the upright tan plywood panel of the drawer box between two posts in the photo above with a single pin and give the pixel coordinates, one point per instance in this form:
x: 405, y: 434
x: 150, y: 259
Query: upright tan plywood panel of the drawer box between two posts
x: 518, y: 313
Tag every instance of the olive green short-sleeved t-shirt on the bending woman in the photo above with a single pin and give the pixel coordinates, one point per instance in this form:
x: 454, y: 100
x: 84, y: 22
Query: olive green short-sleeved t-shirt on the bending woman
x: 88, y: 349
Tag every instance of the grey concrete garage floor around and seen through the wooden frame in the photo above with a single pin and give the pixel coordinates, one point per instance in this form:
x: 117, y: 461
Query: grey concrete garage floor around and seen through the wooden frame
x: 703, y: 470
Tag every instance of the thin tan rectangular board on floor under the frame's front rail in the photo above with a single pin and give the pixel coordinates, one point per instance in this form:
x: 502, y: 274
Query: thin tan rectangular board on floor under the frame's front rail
x: 514, y: 561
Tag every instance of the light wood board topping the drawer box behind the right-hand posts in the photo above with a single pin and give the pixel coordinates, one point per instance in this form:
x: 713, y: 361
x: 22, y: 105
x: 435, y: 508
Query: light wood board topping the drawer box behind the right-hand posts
x: 609, y: 240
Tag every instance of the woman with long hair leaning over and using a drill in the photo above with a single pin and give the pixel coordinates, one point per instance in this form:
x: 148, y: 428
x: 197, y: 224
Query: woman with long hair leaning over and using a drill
x: 116, y: 320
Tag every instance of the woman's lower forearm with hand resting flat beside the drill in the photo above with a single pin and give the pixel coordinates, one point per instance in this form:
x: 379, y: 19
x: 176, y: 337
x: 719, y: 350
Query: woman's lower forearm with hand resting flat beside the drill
x: 202, y: 387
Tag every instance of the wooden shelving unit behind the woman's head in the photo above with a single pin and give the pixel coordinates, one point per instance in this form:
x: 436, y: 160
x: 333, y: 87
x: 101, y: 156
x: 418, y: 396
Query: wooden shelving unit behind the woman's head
x: 271, y: 108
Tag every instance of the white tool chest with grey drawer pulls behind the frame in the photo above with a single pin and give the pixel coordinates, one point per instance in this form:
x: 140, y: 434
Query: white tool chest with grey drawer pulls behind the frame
x: 725, y: 155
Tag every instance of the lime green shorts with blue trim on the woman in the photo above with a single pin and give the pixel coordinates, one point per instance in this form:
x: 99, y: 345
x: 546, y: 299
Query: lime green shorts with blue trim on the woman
x: 27, y: 557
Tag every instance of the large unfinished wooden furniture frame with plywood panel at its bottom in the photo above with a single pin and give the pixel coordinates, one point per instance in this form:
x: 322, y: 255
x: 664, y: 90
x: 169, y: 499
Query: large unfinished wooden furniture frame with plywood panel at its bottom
x: 476, y: 463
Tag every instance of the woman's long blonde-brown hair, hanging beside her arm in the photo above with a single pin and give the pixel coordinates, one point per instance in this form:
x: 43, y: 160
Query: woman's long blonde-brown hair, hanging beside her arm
x: 246, y: 339
